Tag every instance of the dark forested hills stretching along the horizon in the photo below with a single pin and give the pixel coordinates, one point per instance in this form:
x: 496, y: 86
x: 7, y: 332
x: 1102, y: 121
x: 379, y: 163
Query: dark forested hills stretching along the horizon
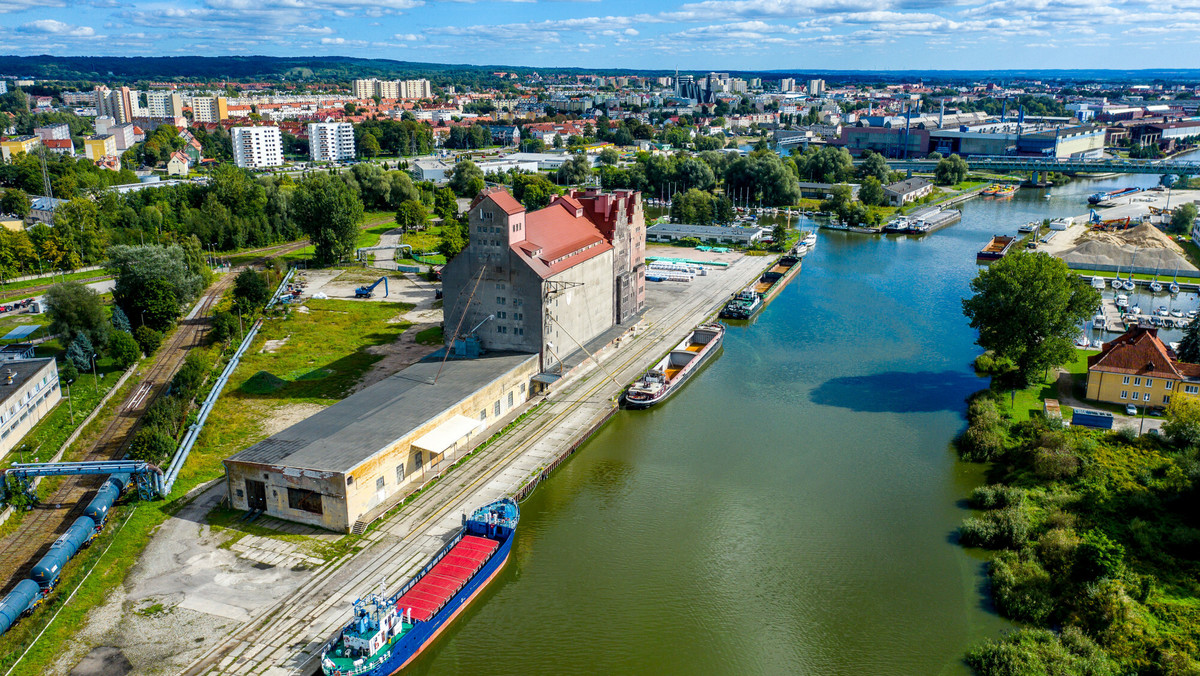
x: 326, y: 69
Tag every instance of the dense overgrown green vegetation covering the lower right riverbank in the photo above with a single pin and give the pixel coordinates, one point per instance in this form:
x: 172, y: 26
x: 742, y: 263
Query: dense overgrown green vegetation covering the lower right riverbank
x: 1099, y: 545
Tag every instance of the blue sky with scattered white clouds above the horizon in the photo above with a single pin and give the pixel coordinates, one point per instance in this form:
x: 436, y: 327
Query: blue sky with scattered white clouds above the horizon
x: 631, y: 34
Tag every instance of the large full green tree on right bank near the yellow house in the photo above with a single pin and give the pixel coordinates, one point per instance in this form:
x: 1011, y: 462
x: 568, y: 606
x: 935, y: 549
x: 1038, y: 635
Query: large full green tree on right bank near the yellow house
x: 1028, y: 308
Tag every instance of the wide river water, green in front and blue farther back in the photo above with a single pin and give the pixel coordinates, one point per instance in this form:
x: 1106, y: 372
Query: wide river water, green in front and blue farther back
x: 793, y: 510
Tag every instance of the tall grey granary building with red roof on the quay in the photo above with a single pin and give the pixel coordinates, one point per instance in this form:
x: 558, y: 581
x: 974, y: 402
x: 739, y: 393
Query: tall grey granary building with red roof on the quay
x: 548, y: 282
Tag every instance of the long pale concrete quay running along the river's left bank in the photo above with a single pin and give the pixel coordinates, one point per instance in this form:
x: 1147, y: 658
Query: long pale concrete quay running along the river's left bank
x: 286, y: 638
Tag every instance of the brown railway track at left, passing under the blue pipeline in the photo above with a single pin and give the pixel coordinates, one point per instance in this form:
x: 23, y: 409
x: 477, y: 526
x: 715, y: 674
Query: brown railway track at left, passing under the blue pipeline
x: 32, y: 540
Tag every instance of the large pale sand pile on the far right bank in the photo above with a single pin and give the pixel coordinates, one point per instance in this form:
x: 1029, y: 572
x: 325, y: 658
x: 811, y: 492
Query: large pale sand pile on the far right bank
x: 1144, y: 247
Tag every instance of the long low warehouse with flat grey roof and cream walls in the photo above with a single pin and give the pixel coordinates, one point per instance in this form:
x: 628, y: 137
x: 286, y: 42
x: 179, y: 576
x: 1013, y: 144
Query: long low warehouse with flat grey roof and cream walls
x: 358, y: 458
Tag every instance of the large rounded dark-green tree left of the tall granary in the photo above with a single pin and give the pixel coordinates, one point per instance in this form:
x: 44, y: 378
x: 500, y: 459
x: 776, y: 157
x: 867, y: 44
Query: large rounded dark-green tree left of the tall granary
x: 329, y: 213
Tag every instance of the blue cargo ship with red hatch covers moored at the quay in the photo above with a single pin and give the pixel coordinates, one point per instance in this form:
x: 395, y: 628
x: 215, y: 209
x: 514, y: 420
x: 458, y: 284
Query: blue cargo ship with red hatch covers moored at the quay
x: 387, y: 635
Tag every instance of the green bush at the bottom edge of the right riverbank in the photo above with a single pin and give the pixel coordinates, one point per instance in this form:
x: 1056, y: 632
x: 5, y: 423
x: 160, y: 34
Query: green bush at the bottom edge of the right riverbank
x: 1041, y: 653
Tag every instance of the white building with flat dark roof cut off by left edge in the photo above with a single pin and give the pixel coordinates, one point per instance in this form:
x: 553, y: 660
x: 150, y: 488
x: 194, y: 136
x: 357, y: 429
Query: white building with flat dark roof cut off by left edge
x: 29, y: 391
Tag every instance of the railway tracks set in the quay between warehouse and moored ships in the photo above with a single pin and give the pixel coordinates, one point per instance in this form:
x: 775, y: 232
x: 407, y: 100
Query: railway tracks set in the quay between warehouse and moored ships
x: 287, y: 637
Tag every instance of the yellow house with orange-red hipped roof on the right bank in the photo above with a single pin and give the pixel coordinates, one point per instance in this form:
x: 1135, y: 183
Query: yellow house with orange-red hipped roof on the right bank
x: 1138, y: 368
